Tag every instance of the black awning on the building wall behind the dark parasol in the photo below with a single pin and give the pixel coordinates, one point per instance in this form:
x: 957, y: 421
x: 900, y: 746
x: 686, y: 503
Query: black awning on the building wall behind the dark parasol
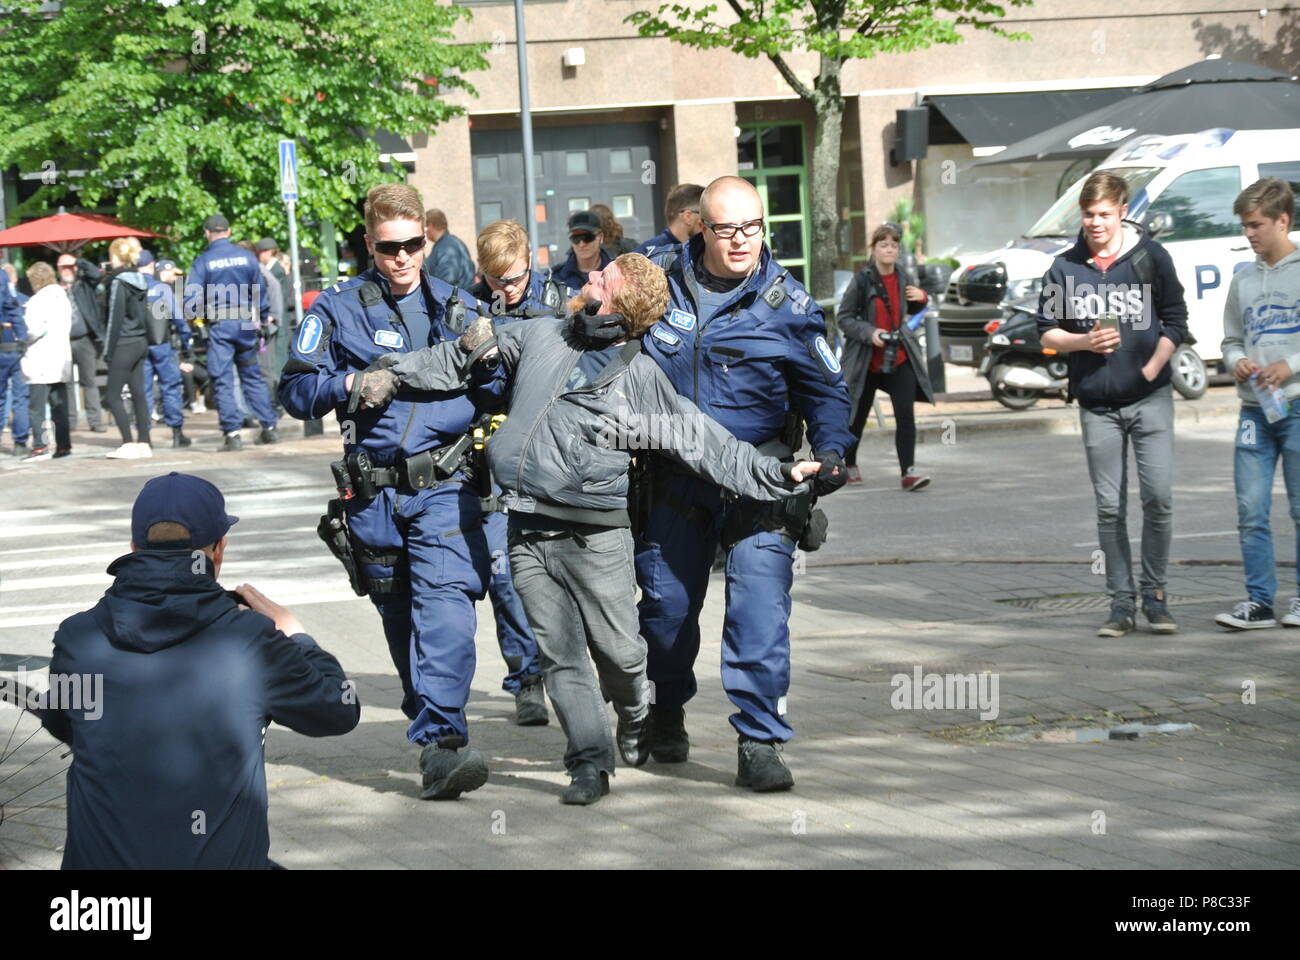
x: 996, y: 120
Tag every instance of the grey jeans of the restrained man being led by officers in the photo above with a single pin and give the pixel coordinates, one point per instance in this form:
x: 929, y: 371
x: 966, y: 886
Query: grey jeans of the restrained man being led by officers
x: 580, y: 594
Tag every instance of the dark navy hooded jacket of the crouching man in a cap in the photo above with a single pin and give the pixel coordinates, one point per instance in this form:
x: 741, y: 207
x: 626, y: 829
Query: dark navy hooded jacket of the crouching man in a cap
x: 168, y: 771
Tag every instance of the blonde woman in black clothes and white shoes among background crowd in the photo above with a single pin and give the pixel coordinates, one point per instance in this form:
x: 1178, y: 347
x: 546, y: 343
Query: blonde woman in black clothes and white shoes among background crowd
x: 127, y: 345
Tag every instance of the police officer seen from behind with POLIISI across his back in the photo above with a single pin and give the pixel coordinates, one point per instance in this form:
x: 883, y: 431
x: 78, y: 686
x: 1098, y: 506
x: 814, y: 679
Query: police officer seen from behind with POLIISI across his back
x: 226, y: 288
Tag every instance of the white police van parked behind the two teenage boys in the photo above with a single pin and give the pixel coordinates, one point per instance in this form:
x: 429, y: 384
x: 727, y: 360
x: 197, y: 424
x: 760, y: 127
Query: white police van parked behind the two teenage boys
x: 1181, y: 188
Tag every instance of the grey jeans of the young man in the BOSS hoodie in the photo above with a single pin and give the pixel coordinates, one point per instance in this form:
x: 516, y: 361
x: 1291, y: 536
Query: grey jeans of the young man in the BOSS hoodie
x: 1150, y: 426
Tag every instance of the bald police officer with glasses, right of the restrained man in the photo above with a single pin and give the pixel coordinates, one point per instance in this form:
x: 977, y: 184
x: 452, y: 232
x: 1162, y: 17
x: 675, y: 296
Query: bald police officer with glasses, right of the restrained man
x: 748, y: 345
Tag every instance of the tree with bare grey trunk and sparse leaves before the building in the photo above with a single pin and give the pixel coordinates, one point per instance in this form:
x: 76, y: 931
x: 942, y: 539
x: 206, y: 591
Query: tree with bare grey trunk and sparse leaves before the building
x: 838, y: 31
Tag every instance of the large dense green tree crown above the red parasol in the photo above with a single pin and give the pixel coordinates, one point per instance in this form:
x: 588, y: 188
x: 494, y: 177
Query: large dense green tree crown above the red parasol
x: 172, y: 109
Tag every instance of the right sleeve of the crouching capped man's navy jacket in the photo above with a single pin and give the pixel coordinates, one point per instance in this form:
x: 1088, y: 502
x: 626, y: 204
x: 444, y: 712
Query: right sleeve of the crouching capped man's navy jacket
x: 307, y: 690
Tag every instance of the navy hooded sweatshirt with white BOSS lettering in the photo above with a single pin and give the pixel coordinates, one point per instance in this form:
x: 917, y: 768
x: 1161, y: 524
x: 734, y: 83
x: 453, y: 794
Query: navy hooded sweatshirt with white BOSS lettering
x: 1076, y: 293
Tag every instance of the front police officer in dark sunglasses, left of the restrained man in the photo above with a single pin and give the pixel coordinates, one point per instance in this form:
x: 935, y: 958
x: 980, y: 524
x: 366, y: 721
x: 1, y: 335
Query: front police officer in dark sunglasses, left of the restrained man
x: 411, y: 524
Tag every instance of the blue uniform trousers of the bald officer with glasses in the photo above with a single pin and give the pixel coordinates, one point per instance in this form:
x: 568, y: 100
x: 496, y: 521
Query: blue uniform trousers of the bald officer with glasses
x: 674, y: 560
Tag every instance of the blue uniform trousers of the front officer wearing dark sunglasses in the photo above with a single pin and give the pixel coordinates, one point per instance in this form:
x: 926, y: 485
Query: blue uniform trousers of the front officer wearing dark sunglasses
x: 434, y: 543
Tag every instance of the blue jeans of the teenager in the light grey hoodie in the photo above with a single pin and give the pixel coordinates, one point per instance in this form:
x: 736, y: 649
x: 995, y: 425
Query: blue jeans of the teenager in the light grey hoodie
x: 1259, y: 448
